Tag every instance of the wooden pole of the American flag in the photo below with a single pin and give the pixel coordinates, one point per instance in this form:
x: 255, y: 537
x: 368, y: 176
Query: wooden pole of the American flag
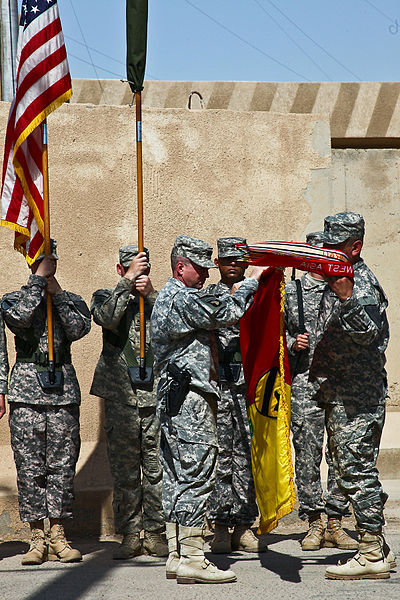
x: 47, y: 247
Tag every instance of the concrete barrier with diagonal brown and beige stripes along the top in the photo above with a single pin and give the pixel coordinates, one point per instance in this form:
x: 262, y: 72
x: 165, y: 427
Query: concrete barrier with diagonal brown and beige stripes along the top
x: 366, y: 109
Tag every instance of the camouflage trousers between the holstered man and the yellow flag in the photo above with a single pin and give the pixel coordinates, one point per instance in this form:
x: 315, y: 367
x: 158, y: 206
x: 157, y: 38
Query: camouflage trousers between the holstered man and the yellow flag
x: 233, y: 499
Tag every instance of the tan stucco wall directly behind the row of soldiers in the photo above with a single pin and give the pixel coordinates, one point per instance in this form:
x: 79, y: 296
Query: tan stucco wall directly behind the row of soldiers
x: 206, y: 173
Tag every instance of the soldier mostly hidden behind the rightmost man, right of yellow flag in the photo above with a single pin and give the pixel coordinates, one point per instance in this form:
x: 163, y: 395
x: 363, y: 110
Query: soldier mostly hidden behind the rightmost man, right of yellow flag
x: 308, y: 419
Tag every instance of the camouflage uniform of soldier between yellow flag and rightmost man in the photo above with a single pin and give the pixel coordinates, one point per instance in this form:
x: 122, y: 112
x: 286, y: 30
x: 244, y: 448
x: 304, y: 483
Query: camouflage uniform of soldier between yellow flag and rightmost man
x: 307, y: 418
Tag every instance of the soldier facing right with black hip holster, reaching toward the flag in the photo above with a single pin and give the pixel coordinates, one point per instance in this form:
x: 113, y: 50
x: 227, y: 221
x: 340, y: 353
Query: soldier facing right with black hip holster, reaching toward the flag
x: 185, y: 353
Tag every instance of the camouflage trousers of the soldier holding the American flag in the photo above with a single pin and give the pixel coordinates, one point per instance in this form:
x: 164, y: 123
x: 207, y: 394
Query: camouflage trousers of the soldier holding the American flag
x: 46, y: 442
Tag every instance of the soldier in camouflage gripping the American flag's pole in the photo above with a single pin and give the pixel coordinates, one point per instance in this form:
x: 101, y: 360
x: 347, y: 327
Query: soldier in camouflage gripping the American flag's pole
x: 45, y: 425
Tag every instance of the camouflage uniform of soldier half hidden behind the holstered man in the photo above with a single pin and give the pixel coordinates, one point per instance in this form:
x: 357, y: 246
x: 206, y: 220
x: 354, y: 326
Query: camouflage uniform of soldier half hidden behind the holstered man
x: 233, y: 499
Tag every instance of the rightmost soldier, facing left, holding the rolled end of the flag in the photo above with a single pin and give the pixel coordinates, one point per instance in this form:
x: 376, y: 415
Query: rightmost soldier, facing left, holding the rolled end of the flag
x: 351, y: 338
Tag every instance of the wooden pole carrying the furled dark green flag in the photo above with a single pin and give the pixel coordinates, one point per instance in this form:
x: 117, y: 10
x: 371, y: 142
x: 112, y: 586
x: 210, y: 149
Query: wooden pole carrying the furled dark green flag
x: 139, y: 184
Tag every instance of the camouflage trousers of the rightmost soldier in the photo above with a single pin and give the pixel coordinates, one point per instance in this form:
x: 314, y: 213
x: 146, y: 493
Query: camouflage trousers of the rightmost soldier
x: 354, y: 435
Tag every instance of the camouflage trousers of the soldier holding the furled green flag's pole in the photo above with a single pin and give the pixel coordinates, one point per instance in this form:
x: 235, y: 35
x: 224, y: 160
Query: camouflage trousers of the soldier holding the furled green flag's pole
x: 133, y: 443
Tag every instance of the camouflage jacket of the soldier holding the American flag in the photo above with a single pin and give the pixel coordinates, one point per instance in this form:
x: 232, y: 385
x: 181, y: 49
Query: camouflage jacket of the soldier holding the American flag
x: 25, y: 314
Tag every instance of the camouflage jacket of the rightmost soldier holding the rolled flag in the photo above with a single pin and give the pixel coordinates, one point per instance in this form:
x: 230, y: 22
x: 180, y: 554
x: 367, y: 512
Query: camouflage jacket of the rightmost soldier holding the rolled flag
x: 352, y: 337
